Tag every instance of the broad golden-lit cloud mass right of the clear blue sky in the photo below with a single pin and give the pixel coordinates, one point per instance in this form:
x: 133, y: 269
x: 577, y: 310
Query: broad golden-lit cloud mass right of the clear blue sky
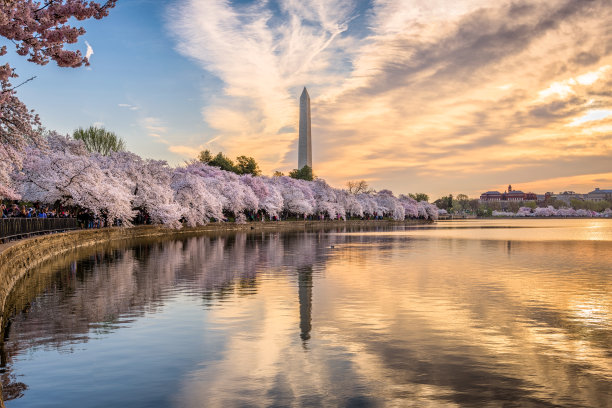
x: 404, y: 91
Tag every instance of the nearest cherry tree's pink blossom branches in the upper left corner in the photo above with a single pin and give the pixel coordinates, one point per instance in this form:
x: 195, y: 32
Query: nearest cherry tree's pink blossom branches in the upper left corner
x: 39, y: 30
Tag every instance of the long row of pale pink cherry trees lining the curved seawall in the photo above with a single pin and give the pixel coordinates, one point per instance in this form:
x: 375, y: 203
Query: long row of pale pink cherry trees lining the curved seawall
x: 120, y: 185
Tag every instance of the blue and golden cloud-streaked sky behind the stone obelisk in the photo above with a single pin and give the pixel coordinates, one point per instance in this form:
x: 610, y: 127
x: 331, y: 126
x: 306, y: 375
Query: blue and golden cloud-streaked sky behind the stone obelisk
x: 411, y: 95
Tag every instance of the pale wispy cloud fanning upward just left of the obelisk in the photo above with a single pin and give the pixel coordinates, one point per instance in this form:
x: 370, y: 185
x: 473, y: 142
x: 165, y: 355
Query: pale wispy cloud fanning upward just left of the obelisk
x: 263, y: 58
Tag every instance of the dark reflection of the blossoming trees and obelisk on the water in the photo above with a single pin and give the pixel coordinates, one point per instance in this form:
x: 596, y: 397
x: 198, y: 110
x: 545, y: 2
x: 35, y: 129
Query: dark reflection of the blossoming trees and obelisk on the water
x: 98, y: 293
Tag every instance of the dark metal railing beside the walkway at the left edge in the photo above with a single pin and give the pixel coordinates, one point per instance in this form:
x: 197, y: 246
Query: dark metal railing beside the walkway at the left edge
x: 12, y: 228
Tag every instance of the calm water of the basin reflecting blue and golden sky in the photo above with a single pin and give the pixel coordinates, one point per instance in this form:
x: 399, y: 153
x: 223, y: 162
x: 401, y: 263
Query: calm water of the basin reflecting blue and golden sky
x: 472, y: 313
